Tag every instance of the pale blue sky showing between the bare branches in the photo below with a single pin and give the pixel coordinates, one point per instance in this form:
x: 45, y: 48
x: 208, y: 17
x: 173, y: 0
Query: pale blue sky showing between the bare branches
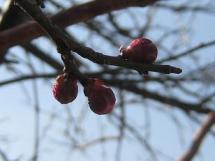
x: 17, y: 113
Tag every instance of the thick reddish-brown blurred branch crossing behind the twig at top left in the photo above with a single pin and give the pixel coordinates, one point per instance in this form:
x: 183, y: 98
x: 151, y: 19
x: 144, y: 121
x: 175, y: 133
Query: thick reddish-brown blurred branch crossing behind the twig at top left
x: 30, y: 30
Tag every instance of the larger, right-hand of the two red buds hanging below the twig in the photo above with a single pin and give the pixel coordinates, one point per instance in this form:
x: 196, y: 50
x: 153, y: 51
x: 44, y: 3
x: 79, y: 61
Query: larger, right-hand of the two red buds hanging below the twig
x: 101, y: 98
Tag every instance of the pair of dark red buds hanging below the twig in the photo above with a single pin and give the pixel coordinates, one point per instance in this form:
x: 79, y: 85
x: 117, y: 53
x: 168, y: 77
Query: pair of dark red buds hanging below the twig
x: 101, y: 98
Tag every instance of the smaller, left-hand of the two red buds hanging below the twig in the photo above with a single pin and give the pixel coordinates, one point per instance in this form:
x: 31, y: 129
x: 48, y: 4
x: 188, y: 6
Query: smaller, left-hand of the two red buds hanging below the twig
x: 65, y: 89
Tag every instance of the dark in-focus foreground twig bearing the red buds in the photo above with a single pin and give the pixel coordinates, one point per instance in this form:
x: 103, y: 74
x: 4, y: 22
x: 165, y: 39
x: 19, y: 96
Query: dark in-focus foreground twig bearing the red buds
x: 65, y: 43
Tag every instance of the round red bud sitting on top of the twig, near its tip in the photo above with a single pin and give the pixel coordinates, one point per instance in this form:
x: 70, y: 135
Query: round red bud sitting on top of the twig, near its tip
x: 140, y: 50
